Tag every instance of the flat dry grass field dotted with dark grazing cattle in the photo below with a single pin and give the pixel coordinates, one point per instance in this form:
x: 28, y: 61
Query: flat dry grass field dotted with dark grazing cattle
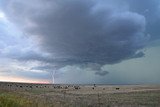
x: 49, y: 95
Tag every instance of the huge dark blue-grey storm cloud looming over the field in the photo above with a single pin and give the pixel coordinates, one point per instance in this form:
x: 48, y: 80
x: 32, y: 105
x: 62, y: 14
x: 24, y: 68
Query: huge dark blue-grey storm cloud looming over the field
x: 79, y: 32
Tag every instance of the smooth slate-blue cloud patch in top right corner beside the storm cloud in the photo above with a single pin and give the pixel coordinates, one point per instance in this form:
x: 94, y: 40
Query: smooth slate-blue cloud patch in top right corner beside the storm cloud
x: 151, y: 10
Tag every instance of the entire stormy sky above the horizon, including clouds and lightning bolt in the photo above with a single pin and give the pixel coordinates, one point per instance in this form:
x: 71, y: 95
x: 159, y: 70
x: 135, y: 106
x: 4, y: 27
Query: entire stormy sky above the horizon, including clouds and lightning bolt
x: 80, y: 41
